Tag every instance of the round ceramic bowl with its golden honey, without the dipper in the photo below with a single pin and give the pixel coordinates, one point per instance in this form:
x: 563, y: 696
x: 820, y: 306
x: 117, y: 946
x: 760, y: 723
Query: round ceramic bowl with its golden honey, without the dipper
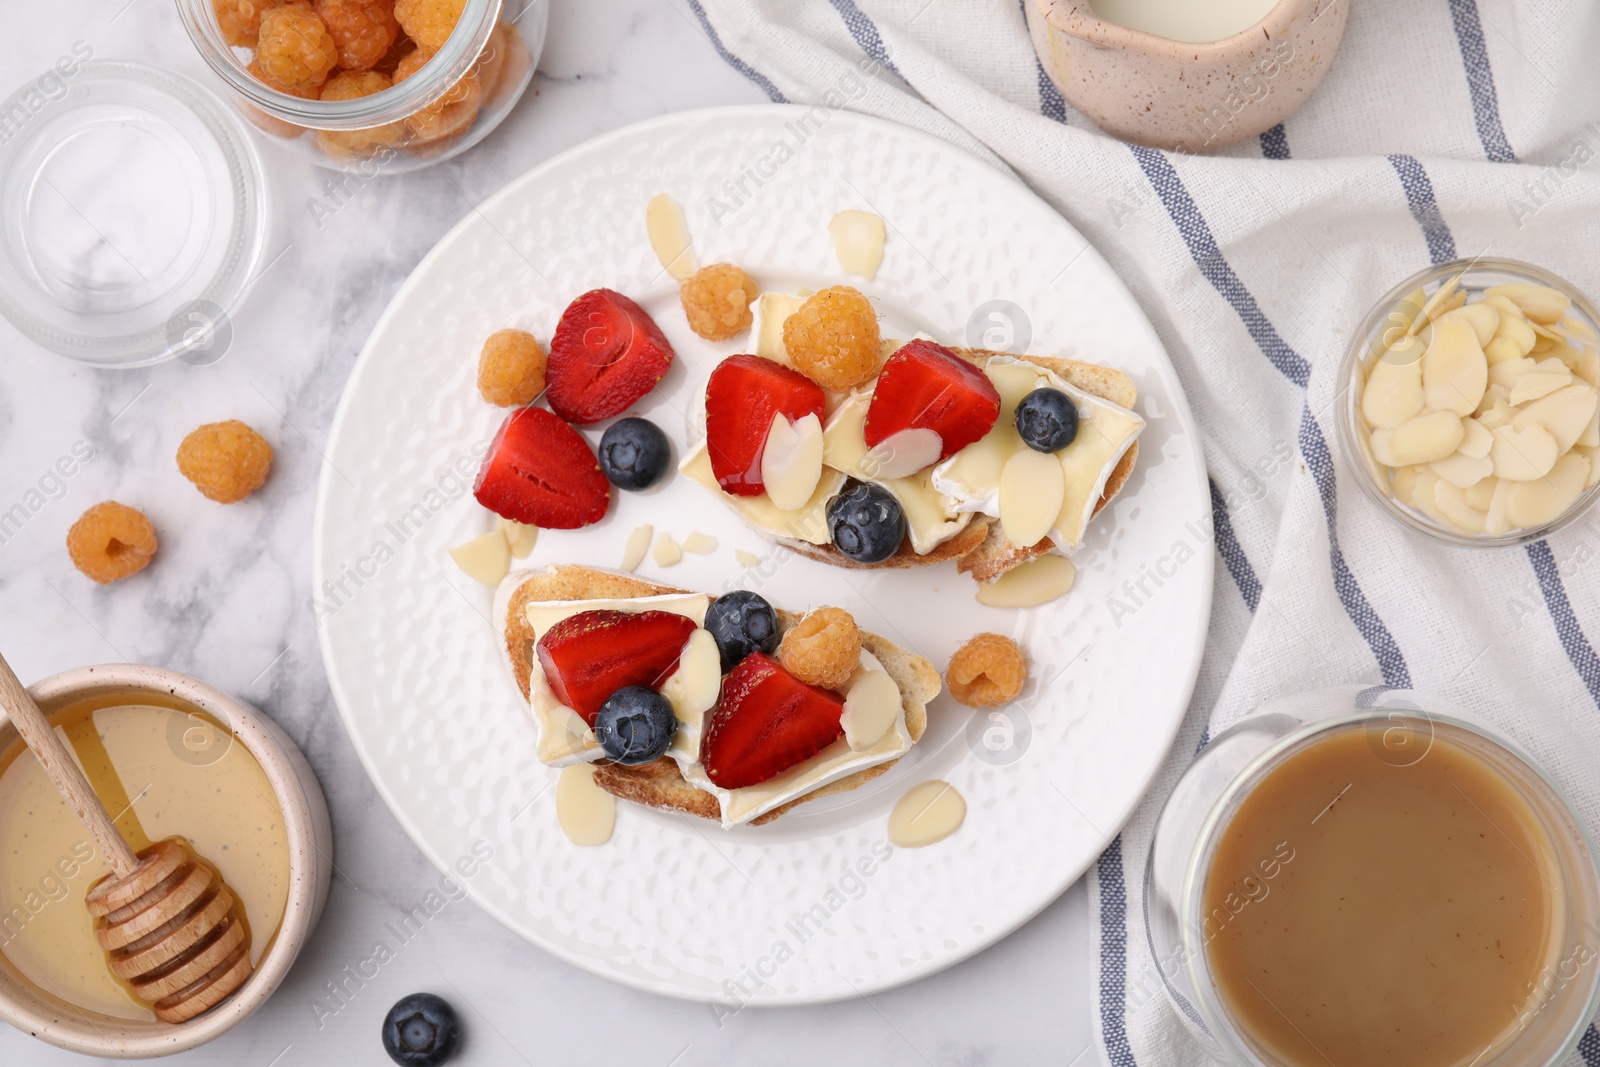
x: 169, y: 757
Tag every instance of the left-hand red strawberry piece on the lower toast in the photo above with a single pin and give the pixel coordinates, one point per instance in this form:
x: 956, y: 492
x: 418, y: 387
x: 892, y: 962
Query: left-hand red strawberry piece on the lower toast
x: 593, y: 655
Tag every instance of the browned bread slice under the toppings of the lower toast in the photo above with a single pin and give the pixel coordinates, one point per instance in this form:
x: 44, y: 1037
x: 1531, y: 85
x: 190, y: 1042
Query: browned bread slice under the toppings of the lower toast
x: 658, y: 783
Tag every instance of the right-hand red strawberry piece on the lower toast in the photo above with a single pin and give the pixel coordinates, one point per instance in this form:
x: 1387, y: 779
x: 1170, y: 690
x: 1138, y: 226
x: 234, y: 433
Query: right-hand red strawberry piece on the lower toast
x: 766, y: 724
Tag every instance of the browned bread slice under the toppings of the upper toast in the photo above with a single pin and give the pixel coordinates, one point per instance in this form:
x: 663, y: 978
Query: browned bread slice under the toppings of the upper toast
x: 982, y: 549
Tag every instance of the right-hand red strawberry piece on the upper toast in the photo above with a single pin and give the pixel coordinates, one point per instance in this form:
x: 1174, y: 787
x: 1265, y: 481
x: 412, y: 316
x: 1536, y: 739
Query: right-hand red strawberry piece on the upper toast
x: 927, y: 386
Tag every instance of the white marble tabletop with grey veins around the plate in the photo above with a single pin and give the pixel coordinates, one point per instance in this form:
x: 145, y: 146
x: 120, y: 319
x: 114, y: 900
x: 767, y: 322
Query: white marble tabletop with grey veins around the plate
x: 230, y: 599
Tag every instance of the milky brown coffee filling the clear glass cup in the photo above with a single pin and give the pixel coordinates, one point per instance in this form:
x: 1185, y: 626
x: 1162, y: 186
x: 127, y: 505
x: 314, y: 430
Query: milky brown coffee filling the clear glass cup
x: 1382, y: 905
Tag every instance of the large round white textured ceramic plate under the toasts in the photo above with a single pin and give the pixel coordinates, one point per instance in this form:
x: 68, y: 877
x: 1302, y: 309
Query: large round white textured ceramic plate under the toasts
x: 806, y: 909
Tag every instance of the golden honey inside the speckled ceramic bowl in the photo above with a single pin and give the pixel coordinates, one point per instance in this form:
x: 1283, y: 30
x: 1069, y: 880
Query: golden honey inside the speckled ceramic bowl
x: 161, y: 772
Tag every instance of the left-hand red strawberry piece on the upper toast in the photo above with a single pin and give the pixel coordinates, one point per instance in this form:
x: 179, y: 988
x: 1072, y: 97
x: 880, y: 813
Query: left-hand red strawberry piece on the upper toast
x: 743, y: 396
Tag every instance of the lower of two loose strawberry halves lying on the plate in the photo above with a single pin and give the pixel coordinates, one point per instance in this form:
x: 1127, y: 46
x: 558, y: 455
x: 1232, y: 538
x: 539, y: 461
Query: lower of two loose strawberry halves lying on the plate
x: 542, y: 473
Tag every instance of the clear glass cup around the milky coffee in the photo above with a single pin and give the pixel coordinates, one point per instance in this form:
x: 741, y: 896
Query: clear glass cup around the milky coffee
x: 1401, y: 729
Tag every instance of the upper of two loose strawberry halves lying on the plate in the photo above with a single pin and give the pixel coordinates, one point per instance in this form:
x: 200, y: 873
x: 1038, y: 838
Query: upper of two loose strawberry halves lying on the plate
x: 606, y: 354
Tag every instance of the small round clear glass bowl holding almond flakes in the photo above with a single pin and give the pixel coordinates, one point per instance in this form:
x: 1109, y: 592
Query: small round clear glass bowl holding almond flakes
x: 1423, y: 297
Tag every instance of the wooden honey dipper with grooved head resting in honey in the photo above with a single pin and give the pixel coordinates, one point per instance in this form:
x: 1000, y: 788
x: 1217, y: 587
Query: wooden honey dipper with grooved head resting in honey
x: 172, y: 930
